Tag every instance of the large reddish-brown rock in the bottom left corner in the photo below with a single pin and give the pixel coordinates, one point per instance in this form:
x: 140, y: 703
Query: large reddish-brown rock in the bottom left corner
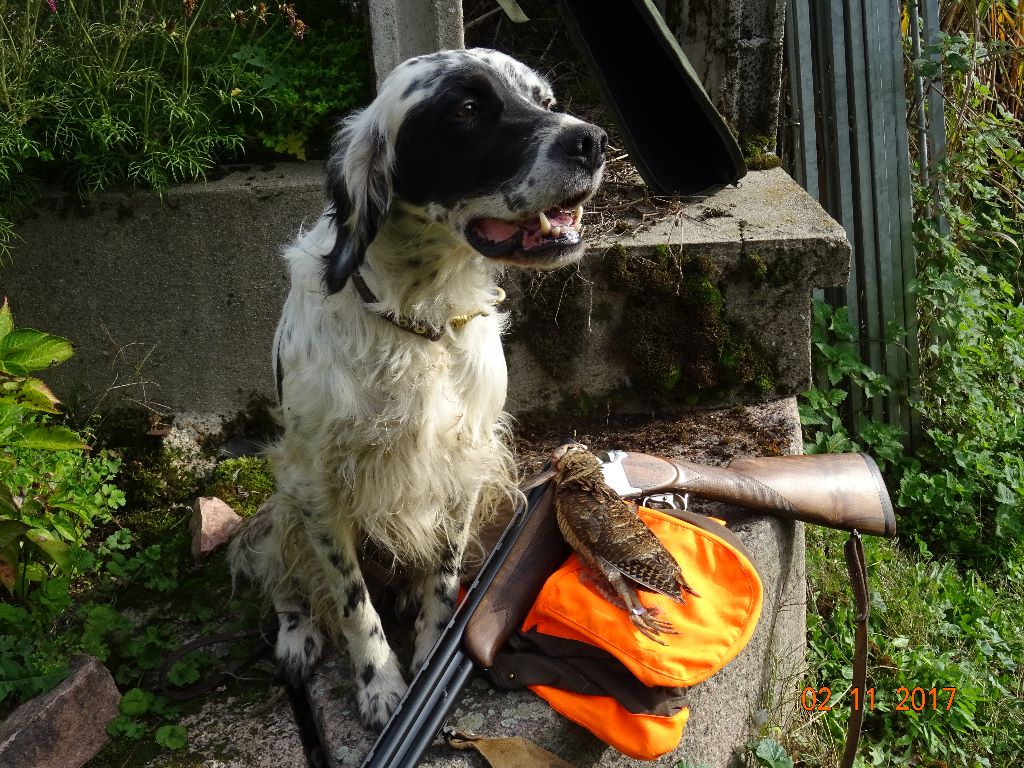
x: 66, y: 728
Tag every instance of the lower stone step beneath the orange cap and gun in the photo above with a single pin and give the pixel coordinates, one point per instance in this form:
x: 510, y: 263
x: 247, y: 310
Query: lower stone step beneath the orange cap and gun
x: 727, y: 710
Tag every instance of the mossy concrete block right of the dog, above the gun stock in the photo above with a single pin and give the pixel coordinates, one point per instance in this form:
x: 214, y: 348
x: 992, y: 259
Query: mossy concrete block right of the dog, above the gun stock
x: 764, y: 245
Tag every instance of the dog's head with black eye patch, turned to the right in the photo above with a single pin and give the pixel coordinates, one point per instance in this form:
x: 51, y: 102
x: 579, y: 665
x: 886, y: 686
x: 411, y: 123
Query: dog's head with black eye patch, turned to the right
x: 471, y: 139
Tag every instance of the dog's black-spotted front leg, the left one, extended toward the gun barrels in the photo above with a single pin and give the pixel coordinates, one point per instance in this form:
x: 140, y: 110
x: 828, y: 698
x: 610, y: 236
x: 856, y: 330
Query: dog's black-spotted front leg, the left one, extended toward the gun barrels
x: 376, y: 673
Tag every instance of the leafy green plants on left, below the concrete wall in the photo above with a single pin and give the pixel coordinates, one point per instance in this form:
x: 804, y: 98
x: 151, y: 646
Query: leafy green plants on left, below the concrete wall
x: 75, y: 580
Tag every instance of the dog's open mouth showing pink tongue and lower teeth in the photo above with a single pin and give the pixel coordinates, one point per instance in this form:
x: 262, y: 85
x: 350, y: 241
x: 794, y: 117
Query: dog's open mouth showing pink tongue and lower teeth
x: 556, y: 229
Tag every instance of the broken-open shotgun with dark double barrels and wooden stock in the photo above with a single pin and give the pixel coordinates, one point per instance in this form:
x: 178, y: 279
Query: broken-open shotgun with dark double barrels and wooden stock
x: 843, y: 491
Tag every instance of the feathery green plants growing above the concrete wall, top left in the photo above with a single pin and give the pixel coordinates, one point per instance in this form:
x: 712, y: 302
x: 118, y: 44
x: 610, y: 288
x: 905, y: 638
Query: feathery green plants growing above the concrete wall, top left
x: 100, y: 93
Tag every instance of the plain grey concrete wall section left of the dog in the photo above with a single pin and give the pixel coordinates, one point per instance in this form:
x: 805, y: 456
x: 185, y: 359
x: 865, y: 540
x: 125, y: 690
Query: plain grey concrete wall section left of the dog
x: 169, y: 303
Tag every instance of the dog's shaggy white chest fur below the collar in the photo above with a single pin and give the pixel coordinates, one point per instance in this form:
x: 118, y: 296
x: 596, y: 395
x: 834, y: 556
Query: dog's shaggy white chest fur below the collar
x: 390, y: 421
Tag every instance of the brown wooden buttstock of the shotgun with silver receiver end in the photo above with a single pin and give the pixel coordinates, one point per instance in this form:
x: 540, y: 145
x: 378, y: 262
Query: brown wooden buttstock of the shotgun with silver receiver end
x: 841, y: 491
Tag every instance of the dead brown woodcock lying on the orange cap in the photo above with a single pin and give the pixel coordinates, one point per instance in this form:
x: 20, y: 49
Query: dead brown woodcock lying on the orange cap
x: 621, y: 552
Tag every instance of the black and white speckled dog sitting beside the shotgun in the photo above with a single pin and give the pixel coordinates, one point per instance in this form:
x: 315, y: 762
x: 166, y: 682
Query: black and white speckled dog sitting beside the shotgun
x: 389, y: 358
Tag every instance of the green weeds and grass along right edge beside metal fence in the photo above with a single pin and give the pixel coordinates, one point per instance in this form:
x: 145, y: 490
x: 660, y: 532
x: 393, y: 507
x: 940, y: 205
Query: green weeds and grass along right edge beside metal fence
x: 947, y: 598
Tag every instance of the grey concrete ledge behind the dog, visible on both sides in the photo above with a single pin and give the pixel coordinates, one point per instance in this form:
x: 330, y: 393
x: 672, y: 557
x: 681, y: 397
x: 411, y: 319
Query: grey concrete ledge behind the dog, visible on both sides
x: 174, y: 304
